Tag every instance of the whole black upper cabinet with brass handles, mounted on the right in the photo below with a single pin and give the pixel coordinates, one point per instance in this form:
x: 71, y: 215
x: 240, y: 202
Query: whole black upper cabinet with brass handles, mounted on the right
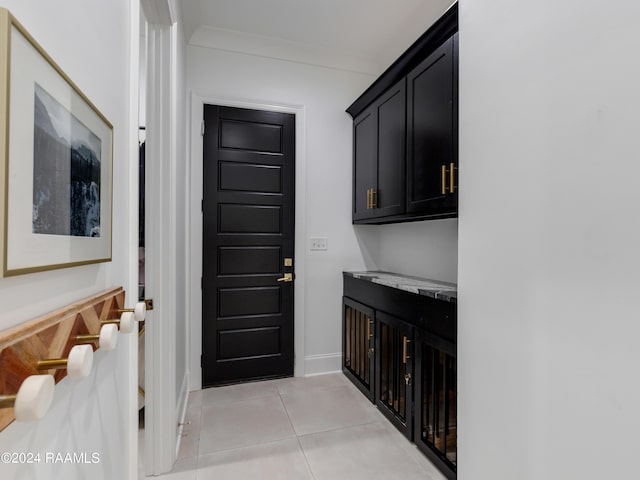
x: 405, y: 162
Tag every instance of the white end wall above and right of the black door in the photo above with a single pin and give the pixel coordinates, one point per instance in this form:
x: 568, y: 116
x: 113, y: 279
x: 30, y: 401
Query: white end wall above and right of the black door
x: 324, y: 93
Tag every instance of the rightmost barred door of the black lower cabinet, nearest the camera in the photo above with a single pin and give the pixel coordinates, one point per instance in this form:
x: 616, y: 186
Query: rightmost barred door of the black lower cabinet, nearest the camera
x: 435, y: 430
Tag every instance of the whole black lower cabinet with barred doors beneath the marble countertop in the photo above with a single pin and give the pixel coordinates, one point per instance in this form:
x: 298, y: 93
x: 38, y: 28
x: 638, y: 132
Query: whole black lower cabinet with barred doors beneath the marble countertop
x: 399, y: 349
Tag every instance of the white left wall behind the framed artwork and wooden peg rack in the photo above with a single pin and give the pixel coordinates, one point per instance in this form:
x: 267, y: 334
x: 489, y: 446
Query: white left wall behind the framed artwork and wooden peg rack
x: 90, y: 41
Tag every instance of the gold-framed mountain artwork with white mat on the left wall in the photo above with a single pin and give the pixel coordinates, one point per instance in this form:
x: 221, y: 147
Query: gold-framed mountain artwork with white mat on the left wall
x: 56, y: 157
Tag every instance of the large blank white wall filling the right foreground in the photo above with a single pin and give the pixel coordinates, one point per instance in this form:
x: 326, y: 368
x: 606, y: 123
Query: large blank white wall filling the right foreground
x: 548, y: 232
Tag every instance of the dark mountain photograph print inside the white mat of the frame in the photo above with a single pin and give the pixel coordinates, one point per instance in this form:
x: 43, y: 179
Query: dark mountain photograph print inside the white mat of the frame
x: 66, y: 171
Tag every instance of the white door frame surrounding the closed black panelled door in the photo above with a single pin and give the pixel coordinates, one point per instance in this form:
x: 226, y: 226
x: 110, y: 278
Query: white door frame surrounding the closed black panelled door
x: 195, y: 225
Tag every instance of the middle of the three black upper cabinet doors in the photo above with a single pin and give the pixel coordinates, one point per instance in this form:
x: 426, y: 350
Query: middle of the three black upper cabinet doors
x: 389, y: 194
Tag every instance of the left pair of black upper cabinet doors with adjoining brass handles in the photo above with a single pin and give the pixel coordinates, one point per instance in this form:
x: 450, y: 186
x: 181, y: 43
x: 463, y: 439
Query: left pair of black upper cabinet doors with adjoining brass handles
x: 379, y: 153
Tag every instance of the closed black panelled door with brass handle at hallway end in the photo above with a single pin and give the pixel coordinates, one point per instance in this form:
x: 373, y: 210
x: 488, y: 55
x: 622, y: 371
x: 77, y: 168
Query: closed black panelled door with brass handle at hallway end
x: 248, y: 235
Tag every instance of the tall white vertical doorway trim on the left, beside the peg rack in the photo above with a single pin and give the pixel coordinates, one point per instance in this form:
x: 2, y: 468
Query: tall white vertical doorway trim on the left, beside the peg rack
x: 160, y: 241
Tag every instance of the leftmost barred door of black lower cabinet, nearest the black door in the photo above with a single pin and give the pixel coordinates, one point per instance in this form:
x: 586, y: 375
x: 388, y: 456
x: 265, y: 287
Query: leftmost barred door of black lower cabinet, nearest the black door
x: 358, y: 327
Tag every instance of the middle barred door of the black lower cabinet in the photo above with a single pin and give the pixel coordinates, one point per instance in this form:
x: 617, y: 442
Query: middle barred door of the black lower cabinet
x: 394, y: 364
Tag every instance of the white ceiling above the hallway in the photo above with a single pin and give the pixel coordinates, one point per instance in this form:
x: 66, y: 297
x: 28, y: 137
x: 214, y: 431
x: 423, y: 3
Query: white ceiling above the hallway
x: 374, y: 31
